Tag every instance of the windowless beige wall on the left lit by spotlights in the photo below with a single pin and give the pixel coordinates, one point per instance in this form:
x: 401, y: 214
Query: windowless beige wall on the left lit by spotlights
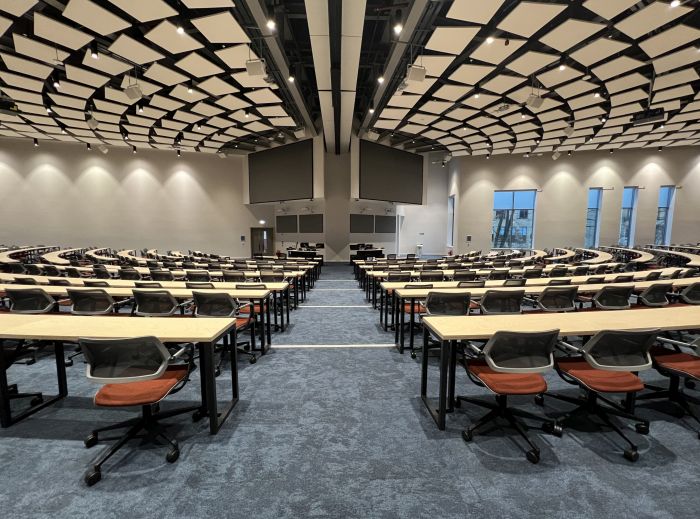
x: 62, y: 194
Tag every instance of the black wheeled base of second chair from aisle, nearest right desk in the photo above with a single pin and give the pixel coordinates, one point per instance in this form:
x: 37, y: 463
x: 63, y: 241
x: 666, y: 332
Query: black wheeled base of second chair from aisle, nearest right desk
x: 590, y: 405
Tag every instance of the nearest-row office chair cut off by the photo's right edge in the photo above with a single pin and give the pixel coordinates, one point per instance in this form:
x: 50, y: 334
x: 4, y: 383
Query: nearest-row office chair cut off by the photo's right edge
x: 671, y: 361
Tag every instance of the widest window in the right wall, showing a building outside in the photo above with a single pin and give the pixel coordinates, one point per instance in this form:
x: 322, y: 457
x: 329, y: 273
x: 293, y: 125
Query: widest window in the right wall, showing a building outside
x: 513, y: 219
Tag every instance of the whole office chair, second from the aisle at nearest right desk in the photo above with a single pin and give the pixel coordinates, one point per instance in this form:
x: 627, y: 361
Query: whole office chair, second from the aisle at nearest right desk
x: 607, y: 364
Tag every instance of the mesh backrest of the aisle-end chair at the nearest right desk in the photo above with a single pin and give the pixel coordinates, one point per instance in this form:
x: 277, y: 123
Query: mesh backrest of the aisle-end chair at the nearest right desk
x: 521, y: 352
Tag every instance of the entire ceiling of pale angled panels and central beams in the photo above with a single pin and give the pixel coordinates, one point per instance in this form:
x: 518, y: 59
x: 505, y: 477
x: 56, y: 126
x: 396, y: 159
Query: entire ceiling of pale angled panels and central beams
x: 593, y: 64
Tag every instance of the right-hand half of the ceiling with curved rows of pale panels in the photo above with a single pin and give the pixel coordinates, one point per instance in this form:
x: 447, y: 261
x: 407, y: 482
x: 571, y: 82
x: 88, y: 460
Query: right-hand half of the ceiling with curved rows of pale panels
x: 594, y: 63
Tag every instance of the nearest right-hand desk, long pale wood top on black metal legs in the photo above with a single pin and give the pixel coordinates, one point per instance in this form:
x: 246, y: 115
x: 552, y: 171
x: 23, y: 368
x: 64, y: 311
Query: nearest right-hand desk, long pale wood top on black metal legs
x: 449, y: 330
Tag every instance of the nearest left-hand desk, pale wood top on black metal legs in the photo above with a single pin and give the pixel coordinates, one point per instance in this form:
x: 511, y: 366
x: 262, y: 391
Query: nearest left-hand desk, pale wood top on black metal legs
x: 63, y: 328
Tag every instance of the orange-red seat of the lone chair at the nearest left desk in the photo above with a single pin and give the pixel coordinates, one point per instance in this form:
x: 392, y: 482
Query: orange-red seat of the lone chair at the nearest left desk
x: 140, y: 393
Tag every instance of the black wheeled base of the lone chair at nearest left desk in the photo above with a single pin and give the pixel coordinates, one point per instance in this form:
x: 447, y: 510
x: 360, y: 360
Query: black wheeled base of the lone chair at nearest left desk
x: 148, y: 422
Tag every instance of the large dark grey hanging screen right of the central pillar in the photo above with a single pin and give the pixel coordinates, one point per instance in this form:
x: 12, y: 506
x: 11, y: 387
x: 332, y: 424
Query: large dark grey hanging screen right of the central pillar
x: 390, y: 174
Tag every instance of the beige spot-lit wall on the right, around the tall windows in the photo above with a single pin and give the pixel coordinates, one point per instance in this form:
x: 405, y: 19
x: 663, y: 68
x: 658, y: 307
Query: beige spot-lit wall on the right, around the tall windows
x: 561, y: 204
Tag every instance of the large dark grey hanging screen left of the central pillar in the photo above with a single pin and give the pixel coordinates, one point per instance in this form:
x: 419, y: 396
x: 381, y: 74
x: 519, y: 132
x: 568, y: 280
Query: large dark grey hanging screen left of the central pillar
x: 282, y: 173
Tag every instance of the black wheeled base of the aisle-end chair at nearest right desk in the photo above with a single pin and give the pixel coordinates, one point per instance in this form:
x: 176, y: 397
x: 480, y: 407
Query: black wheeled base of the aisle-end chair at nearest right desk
x: 500, y: 409
